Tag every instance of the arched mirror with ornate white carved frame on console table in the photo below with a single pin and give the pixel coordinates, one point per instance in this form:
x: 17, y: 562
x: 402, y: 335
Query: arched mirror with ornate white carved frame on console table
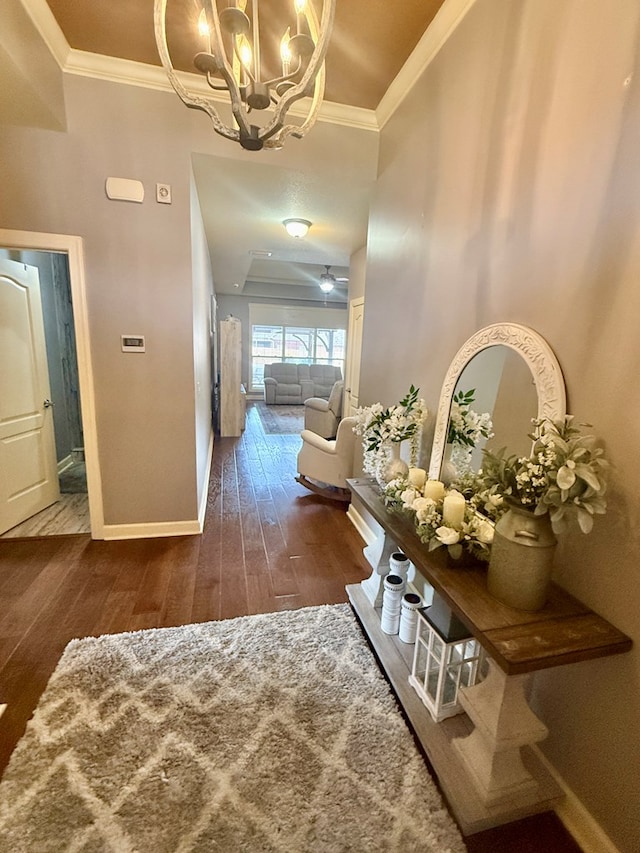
x: 514, y: 376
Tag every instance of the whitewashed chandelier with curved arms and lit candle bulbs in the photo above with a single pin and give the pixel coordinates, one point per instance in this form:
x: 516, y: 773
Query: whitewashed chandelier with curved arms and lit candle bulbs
x: 231, y: 64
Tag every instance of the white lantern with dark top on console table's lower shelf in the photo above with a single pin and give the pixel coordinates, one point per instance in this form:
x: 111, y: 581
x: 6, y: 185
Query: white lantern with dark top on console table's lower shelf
x: 446, y: 657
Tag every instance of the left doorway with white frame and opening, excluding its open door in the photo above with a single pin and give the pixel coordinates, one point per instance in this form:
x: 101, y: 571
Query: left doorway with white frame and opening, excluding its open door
x: 80, y: 506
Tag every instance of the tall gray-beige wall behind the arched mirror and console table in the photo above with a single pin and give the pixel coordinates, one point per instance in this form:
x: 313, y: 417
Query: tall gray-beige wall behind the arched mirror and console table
x: 509, y: 190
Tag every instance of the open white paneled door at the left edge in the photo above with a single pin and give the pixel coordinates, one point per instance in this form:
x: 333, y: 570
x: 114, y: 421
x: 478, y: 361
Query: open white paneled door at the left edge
x: 28, y: 467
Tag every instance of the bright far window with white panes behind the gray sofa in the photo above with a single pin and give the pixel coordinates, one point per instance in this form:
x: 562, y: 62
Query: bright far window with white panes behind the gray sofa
x: 296, y: 345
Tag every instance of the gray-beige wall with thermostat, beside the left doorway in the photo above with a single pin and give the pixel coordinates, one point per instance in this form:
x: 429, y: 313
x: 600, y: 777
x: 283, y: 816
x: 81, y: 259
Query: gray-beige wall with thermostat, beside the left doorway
x: 145, y: 272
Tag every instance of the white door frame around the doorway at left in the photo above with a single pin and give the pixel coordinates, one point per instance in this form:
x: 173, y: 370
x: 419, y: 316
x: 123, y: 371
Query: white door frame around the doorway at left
x: 73, y: 248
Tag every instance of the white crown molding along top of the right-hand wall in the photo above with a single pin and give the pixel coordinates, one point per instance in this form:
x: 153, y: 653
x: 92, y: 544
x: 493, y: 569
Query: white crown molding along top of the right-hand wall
x: 447, y: 19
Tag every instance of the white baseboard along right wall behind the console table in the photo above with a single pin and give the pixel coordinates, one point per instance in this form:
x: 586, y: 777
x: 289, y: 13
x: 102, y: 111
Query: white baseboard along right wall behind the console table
x: 577, y: 820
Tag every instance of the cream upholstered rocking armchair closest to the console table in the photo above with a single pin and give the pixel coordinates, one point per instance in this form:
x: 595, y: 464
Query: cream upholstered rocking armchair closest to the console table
x: 324, y: 466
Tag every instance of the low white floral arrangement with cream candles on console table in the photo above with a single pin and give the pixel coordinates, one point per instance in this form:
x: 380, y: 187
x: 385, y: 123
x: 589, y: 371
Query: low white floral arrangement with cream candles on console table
x: 462, y: 529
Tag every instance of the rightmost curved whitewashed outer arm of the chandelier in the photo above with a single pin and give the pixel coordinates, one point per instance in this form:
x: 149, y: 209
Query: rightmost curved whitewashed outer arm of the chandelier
x: 315, y: 68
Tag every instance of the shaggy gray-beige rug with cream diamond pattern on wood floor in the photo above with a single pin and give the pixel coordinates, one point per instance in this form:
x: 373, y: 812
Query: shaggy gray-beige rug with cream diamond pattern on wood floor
x: 269, y: 733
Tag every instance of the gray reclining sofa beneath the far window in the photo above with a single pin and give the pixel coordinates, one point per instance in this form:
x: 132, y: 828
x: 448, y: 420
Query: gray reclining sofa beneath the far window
x: 292, y: 384
